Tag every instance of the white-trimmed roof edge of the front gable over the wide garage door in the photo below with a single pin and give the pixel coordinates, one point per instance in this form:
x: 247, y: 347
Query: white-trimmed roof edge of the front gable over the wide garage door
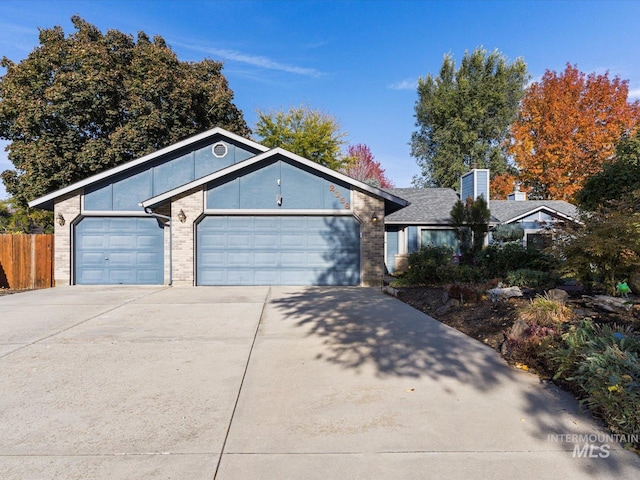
x: 392, y: 203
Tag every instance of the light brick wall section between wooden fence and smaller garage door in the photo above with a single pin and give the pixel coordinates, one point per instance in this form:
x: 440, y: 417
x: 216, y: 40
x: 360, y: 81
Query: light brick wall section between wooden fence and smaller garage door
x: 69, y: 207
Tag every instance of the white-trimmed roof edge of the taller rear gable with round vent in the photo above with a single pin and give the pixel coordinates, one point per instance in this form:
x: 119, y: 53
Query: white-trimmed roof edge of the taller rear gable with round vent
x: 46, y: 201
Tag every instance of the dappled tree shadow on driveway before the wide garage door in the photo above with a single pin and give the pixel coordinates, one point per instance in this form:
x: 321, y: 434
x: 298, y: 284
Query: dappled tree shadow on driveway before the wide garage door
x: 361, y: 326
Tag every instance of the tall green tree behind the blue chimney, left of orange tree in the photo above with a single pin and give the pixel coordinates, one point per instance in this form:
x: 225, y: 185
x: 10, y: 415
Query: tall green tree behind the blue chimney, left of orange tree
x: 463, y: 116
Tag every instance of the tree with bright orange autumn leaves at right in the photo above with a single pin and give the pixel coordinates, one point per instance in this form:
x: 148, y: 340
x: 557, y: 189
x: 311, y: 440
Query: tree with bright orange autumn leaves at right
x: 567, y: 130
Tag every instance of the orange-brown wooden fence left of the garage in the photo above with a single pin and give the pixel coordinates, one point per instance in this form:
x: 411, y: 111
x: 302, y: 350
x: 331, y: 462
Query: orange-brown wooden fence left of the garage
x: 26, y: 261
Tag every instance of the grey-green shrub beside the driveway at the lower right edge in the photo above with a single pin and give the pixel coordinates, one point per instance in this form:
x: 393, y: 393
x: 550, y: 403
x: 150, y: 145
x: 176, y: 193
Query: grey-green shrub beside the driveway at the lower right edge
x: 602, y: 362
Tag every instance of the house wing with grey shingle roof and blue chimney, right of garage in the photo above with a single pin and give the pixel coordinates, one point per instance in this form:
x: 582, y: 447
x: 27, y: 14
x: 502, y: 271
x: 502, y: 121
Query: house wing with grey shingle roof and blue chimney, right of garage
x: 426, y: 221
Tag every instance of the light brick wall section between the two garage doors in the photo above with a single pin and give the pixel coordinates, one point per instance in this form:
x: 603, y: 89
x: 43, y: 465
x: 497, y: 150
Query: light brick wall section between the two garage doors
x: 192, y: 204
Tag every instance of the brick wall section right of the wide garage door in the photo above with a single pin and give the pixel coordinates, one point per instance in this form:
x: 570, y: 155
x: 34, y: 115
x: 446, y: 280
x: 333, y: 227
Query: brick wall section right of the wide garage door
x: 364, y: 206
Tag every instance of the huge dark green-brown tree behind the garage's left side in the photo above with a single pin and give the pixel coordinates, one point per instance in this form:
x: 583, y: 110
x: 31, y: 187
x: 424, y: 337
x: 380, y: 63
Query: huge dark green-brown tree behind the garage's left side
x: 86, y: 102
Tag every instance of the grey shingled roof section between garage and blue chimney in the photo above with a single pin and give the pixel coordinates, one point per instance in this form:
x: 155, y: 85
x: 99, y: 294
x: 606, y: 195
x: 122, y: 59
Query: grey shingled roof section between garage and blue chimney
x: 428, y: 206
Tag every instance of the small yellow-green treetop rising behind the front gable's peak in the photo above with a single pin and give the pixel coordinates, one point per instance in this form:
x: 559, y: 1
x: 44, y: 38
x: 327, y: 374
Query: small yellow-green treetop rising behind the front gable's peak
x: 312, y: 134
